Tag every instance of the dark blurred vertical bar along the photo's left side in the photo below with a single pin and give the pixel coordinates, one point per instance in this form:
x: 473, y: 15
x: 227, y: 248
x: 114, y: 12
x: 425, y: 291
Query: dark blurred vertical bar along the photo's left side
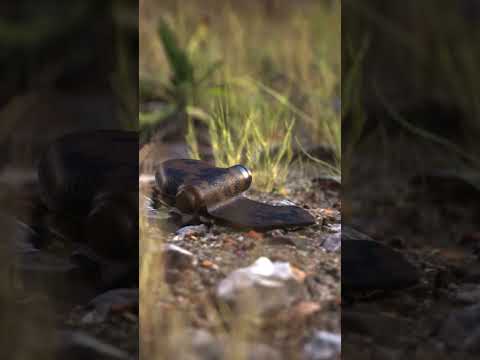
x: 69, y: 179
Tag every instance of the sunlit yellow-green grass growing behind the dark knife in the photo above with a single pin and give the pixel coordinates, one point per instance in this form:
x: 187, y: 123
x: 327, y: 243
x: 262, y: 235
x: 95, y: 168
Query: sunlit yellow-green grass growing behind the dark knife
x: 258, y: 97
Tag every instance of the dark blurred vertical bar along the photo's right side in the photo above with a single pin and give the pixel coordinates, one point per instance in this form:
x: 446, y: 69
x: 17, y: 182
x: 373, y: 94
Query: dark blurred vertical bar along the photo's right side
x: 411, y: 179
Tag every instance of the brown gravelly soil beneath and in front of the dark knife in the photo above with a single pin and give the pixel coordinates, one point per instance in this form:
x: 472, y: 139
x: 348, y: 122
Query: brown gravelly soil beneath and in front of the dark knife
x: 216, y: 251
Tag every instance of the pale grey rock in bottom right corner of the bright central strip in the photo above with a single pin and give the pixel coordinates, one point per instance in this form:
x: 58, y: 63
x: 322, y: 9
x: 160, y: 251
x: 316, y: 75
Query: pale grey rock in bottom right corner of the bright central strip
x: 323, y: 345
